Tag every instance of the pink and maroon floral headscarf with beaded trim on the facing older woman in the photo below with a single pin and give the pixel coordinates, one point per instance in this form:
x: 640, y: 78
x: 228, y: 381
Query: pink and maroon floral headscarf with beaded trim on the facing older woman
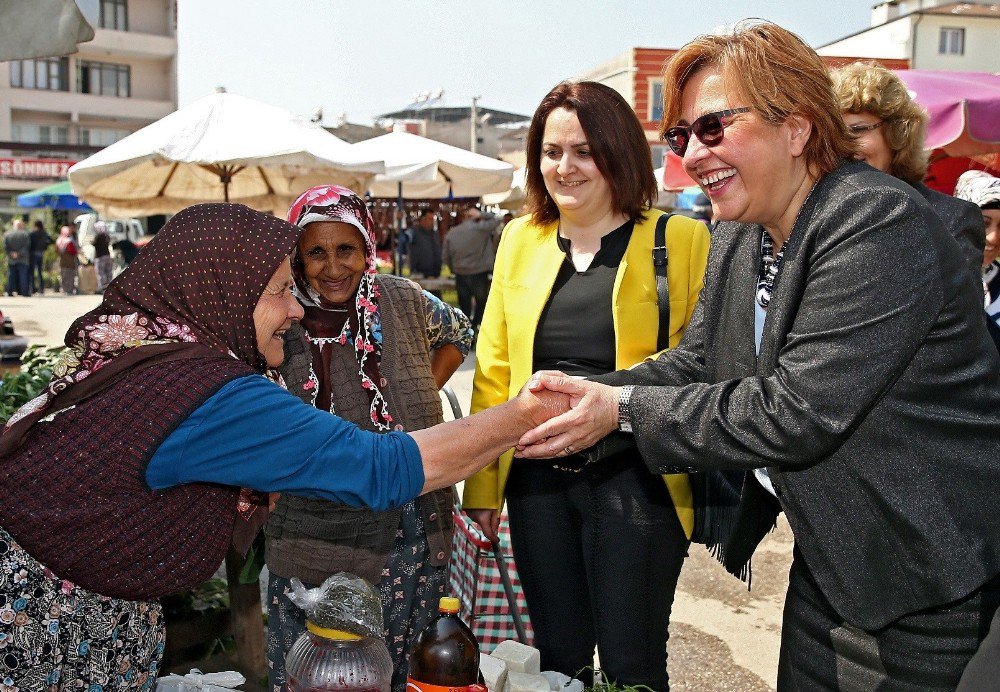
x: 328, y: 324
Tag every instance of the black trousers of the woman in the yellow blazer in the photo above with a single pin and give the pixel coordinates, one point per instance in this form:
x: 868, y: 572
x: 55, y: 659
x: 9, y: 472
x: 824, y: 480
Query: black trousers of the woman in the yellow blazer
x: 599, y: 553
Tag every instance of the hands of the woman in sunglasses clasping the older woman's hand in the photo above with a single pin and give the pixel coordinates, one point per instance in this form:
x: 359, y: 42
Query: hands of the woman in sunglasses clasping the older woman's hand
x: 593, y: 414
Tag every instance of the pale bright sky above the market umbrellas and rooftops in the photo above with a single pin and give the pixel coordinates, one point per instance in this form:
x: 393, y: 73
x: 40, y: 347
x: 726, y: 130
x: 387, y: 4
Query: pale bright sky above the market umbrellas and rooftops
x: 366, y: 58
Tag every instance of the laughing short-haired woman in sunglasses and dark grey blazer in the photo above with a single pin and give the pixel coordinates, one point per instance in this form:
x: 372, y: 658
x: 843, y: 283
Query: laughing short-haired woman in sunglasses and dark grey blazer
x: 861, y: 400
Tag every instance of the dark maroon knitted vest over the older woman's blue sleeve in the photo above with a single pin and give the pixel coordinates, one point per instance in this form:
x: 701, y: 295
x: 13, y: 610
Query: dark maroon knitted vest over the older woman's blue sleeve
x: 83, y: 508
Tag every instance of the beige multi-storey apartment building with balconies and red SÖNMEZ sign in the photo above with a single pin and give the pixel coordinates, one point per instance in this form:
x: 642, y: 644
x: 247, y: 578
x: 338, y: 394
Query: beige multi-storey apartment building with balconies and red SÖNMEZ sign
x: 56, y: 111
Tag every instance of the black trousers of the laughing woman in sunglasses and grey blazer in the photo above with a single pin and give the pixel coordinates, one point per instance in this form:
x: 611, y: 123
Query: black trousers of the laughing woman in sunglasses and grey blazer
x: 927, y: 650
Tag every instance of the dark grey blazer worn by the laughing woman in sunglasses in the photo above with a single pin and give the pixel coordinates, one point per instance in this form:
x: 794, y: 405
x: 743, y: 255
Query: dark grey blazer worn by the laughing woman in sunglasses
x: 874, y: 404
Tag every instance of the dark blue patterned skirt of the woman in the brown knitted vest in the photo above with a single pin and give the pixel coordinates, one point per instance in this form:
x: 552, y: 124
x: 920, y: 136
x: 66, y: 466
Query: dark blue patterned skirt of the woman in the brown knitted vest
x: 411, y: 588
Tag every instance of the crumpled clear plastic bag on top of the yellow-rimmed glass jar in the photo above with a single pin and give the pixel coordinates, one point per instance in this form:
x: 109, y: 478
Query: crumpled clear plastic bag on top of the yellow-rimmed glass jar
x: 343, y: 602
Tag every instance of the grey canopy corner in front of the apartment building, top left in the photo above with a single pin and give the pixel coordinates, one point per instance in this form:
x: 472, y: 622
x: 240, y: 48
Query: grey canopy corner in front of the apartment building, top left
x: 41, y: 28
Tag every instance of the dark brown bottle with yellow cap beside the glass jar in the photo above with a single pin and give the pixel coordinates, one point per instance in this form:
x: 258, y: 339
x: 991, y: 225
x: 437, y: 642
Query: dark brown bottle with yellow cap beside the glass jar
x: 446, y: 653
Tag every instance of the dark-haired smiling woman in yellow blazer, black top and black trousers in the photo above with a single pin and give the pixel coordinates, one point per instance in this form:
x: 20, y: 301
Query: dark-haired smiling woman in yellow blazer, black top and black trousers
x: 599, y: 547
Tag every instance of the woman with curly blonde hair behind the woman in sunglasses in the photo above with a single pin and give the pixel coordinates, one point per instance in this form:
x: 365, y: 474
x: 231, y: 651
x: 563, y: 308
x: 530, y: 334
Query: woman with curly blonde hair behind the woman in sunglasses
x: 890, y: 127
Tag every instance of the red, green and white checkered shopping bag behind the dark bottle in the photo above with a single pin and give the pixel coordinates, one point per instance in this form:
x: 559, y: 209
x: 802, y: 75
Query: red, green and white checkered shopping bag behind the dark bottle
x: 476, y: 581
